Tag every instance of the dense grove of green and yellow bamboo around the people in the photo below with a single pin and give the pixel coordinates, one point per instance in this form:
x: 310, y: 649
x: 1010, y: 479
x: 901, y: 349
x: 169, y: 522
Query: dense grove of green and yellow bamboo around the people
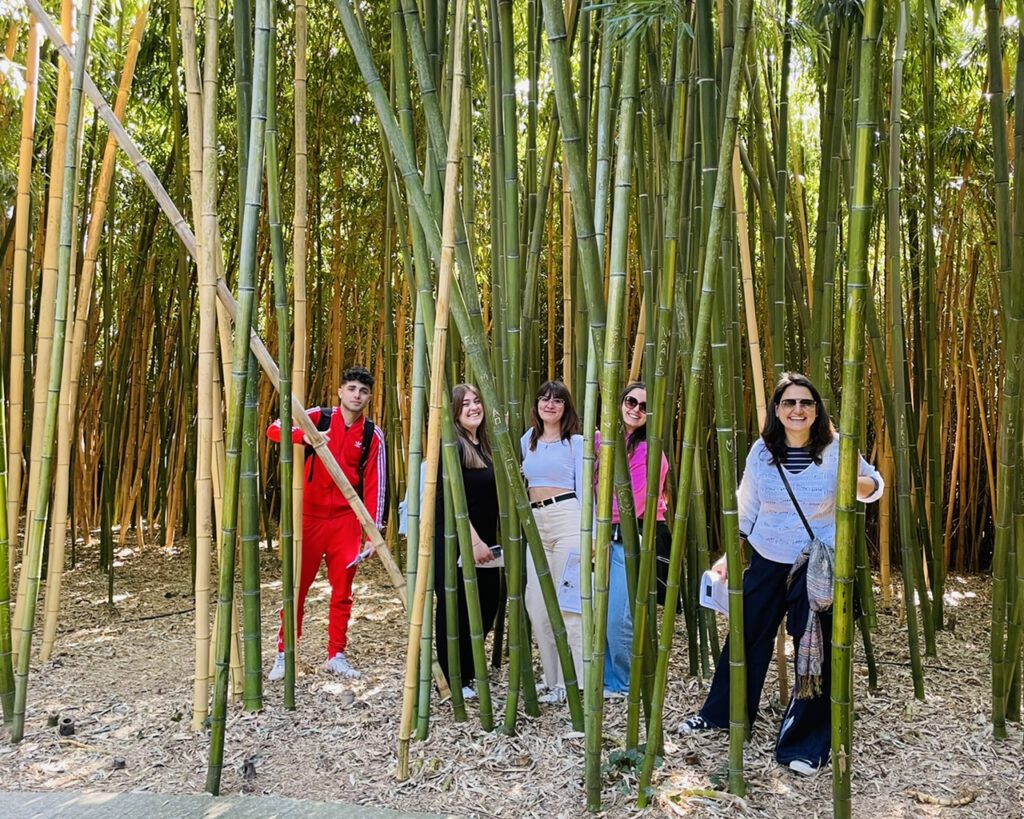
x: 701, y: 195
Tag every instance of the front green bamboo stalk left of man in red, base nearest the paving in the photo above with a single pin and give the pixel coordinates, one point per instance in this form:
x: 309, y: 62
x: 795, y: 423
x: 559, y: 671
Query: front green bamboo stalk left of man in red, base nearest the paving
x: 233, y: 445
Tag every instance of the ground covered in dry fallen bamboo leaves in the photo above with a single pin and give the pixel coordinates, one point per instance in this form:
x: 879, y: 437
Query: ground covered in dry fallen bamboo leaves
x: 124, y: 675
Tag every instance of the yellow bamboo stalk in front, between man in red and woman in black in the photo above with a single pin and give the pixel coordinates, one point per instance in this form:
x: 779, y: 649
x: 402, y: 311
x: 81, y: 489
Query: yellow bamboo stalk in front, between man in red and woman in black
x: 438, y: 385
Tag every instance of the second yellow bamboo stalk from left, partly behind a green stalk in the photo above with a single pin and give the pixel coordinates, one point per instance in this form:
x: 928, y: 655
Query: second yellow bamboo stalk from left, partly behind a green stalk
x: 48, y: 306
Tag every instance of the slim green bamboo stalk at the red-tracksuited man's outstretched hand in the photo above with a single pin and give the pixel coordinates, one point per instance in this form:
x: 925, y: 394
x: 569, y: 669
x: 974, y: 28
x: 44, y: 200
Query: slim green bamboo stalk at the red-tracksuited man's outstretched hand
x: 286, y: 457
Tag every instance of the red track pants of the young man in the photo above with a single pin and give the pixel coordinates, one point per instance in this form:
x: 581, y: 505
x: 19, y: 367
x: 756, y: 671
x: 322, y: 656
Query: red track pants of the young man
x: 337, y: 540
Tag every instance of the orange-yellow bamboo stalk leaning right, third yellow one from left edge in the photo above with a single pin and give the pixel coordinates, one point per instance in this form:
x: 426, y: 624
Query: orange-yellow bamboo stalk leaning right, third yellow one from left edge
x: 69, y: 400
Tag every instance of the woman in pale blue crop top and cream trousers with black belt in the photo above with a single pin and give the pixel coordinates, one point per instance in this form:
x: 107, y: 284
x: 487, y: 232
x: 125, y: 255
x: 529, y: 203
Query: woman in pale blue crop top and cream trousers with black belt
x: 552, y: 464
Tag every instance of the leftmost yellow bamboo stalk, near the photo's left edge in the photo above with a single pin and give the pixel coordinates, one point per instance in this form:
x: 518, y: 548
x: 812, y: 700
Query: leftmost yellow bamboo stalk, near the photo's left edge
x: 20, y: 280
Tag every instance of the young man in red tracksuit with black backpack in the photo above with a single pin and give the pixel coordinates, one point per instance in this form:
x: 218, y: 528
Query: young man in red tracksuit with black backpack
x: 331, y: 531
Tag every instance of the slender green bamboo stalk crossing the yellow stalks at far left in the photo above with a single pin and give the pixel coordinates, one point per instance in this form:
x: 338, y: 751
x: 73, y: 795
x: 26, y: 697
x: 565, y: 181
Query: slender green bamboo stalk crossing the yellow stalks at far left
x: 32, y: 564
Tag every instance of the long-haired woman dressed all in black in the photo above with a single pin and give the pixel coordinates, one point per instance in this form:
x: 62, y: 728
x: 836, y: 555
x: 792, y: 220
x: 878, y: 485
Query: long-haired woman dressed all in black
x: 482, y: 501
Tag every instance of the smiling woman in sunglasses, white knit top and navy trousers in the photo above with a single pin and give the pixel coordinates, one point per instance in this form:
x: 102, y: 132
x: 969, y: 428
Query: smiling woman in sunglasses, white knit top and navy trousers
x: 799, y: 440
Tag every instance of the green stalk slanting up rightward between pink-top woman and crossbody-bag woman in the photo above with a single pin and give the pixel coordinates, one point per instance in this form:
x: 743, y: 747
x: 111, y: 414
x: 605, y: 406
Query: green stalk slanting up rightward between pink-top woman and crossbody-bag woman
x: 721, y: 200
